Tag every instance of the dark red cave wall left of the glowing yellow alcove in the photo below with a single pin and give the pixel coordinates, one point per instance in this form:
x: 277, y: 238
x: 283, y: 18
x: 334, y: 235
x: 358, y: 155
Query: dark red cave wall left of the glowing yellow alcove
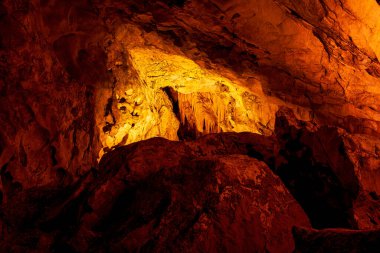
x: 47, y: 97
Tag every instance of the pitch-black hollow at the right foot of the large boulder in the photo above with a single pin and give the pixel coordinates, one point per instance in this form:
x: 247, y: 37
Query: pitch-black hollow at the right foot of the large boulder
x: 319, y: 192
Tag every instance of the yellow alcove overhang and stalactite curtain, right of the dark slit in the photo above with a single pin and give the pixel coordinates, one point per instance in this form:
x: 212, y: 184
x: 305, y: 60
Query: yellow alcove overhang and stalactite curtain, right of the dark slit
x: 213, y: 101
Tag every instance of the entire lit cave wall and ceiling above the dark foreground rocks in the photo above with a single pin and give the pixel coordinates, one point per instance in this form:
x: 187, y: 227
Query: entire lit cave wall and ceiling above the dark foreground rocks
x: 114, y: 73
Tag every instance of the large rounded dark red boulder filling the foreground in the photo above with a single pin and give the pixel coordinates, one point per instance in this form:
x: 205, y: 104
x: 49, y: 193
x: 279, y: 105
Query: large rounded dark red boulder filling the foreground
x: 159, y: 196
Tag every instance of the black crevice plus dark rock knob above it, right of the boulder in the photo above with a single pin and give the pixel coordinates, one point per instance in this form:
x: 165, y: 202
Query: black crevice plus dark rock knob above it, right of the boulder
x: 326, y: 199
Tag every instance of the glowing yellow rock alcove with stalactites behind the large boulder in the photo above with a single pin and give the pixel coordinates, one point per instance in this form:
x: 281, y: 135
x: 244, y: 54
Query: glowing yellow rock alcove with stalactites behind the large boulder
x: 207, y: 101
